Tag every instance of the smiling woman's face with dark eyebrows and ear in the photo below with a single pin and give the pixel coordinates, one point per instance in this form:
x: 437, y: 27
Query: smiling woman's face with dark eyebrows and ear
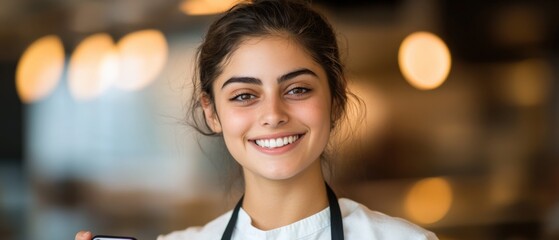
x: 273, y: 107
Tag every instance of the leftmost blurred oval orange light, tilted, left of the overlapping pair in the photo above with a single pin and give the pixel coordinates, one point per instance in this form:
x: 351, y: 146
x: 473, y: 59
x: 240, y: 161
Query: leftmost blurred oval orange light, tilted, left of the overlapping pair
x: 40, y: 68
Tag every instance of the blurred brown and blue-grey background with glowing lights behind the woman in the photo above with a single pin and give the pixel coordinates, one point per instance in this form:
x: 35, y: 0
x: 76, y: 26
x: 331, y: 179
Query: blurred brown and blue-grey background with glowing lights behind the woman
x: 460, y: 134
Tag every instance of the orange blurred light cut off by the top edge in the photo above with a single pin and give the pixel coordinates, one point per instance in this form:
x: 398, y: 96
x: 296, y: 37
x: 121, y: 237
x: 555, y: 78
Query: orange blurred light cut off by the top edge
x: 206, y: 7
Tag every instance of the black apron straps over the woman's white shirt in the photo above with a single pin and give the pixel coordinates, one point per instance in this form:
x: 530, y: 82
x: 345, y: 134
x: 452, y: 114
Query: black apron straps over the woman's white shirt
x: 336, y: 226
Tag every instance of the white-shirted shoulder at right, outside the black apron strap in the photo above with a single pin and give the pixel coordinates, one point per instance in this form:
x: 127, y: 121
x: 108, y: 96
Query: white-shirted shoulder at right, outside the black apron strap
x: 363, y: 223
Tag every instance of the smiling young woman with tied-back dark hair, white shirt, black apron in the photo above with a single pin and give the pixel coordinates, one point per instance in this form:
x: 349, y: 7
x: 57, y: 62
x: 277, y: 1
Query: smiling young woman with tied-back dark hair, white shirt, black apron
x: 270, y: 82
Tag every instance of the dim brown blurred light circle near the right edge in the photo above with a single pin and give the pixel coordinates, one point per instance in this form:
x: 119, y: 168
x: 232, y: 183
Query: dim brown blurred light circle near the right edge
x: 529, y: 82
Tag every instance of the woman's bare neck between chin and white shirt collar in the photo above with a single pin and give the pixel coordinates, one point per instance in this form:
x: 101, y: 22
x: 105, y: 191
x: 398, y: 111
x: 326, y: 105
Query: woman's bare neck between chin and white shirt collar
x: 276, y: 203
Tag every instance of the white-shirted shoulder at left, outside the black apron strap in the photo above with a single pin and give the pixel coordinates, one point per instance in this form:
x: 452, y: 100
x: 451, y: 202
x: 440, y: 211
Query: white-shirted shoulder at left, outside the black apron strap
x: 212, y: 230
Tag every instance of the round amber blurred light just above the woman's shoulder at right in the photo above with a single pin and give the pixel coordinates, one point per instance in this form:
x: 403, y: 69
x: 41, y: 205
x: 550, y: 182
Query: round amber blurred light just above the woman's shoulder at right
x: 429, y: 200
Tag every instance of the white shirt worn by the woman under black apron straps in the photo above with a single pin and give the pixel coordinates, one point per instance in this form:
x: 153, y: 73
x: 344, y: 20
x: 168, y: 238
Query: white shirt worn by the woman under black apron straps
x: 359, y: 223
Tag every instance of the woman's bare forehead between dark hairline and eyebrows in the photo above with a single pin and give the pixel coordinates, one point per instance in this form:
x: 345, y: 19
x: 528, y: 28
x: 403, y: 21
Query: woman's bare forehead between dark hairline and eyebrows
x: 268, y: 56
